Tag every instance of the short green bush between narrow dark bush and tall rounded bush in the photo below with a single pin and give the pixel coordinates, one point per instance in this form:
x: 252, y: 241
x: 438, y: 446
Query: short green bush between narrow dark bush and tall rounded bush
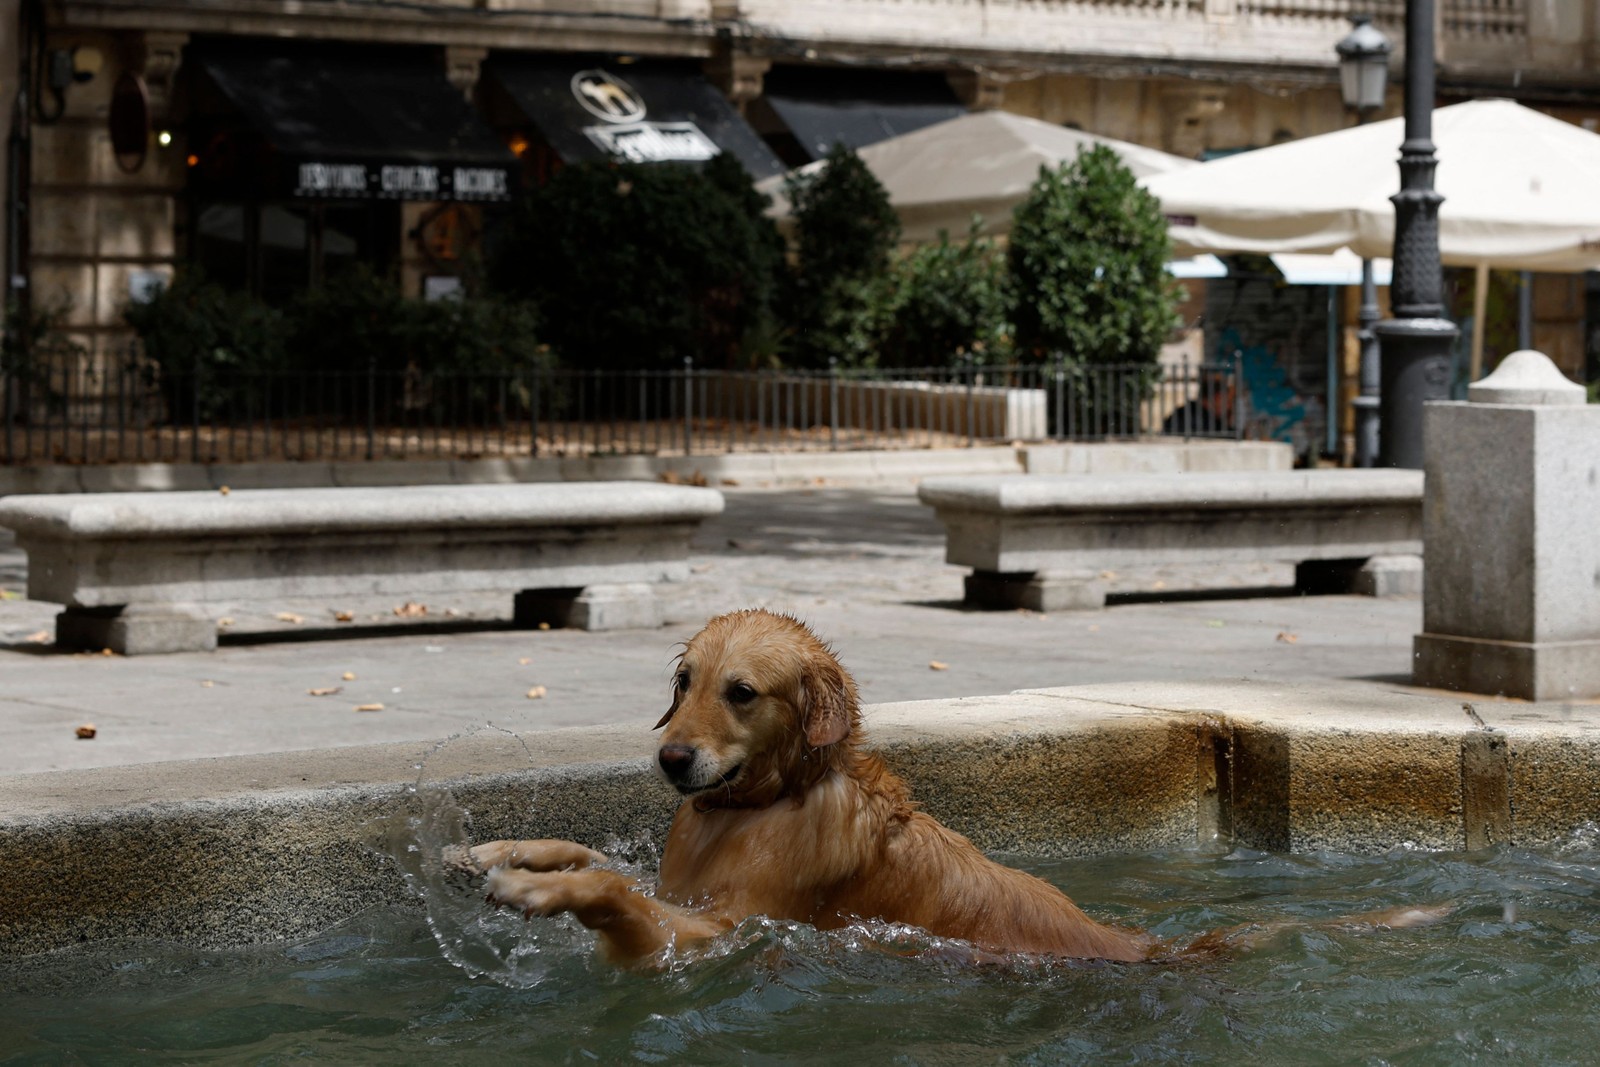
x: 950, y: 302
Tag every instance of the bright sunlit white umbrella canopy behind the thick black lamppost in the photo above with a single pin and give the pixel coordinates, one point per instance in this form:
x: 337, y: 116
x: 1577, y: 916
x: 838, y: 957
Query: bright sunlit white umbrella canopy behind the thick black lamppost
x: 1519, y: 193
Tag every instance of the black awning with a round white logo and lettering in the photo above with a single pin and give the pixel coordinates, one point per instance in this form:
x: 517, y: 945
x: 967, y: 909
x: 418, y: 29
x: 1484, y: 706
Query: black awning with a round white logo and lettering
x: 652, y: 111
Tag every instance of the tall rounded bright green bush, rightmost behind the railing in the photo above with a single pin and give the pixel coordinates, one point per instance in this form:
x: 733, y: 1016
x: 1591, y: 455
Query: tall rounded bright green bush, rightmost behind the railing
x: 1089, y: 266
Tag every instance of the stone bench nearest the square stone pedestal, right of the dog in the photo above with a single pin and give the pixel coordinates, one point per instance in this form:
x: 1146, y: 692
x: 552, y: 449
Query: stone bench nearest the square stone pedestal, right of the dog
x: 1046, y: 541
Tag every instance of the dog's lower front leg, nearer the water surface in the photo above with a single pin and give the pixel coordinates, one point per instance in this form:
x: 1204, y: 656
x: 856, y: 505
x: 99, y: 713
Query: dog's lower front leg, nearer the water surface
x: 633, y: 929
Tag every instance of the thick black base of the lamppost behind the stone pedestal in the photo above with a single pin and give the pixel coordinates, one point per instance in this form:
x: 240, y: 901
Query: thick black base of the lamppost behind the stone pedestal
x: 1415, y: 369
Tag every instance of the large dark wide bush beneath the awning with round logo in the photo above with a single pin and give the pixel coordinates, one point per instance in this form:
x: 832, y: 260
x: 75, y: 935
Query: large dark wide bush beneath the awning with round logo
x: 636, y: 266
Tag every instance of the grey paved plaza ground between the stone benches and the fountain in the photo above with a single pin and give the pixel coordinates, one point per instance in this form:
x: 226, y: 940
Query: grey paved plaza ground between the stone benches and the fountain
x: 863, y: 567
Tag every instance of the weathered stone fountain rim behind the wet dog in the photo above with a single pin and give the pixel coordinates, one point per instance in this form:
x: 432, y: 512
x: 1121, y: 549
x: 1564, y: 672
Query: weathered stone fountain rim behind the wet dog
x: 258, y: 849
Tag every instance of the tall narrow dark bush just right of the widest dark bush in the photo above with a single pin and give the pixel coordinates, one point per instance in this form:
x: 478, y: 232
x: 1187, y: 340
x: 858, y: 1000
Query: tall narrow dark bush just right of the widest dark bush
x: 846, y: 238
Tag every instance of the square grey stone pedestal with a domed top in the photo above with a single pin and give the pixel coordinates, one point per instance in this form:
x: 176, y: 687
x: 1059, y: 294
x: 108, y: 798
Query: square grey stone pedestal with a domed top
x: 1511, y: 594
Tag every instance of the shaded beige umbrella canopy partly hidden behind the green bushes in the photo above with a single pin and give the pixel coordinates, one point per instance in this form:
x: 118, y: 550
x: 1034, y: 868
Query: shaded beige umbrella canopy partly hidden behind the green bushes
x: 980, y: 164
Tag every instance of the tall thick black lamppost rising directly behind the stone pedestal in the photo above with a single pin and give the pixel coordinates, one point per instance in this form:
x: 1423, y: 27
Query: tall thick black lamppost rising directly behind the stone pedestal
x: 1415, y: 343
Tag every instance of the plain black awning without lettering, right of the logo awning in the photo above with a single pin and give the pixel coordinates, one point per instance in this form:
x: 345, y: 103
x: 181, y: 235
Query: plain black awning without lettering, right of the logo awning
x: 825, y: 106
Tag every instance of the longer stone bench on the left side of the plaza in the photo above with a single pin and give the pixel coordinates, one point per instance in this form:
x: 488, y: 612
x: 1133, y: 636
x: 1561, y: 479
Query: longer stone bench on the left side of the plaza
x: 151, y: 572
